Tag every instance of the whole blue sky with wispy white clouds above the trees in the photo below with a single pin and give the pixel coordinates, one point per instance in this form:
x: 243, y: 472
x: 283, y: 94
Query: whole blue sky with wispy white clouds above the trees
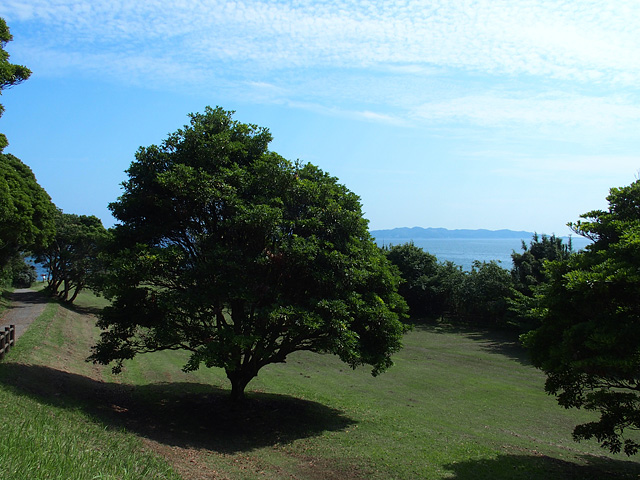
x: 457, y: 114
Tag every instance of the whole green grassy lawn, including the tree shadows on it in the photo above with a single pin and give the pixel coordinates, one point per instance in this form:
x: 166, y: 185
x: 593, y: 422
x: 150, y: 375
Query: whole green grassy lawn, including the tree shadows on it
x: 458, y: 404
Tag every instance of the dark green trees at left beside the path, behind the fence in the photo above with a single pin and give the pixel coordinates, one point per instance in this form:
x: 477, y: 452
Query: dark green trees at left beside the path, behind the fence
x: 33, y: 228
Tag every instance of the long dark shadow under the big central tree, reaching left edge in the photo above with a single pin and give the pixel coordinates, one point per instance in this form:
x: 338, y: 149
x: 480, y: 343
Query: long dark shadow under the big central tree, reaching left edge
x: 188, y: 415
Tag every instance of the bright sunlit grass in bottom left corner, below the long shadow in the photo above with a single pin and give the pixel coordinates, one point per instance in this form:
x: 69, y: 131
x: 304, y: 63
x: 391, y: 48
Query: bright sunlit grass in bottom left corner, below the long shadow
x: 43, y: 441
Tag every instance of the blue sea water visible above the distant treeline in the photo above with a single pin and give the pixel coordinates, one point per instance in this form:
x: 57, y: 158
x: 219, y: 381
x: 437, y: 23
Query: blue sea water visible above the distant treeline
x: 464, y: 251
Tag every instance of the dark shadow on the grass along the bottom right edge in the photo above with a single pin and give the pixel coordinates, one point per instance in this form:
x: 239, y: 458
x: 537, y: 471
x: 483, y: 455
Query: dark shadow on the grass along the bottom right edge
x: 515, y: 467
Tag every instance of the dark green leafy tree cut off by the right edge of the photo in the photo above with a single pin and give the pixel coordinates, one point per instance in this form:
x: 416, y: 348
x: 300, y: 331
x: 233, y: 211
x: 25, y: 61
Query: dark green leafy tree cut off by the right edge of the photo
x: 588, y: 343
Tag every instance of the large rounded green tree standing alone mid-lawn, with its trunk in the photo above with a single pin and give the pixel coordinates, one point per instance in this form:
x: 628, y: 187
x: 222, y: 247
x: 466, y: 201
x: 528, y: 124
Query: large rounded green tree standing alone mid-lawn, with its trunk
x: 229, y: 251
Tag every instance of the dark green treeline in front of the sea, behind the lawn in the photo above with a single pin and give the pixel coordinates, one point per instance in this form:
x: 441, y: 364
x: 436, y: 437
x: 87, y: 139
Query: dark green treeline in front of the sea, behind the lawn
x: 488, y: 294
